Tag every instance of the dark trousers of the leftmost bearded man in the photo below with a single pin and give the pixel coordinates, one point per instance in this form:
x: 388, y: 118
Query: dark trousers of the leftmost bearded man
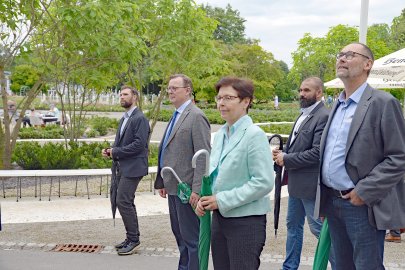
x: 126, y: 206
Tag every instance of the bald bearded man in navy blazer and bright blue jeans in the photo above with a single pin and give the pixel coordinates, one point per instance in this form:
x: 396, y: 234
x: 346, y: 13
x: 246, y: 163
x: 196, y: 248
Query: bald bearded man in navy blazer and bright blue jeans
x: 301, y: 163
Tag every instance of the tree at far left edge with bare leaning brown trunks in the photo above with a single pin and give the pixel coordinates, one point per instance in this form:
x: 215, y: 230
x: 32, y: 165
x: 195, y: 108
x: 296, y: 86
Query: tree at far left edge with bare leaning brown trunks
x: 18, y: 21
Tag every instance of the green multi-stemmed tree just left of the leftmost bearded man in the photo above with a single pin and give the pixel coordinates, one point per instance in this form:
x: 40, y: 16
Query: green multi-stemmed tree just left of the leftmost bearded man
x: 82, y: 45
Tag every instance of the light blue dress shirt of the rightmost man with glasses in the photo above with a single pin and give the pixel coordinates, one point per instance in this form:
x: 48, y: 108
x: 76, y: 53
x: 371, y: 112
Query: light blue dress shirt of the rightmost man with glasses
x: 334, y: 172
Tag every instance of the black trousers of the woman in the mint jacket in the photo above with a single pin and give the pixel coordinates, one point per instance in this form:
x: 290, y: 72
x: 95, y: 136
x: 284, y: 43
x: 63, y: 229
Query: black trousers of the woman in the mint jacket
x: 237, y: 242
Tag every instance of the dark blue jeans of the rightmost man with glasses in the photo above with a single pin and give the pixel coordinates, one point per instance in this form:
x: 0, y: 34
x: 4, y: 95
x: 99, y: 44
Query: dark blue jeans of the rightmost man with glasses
x: 357, y: 244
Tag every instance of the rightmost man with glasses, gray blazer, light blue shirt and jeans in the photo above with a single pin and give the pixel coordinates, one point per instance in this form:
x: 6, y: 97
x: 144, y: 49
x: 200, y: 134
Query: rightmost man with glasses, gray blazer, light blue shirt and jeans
x: 361, y: 189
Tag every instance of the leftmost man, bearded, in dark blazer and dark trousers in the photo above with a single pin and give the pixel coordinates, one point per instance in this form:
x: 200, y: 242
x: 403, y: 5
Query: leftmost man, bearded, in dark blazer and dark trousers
x: 130, y: 154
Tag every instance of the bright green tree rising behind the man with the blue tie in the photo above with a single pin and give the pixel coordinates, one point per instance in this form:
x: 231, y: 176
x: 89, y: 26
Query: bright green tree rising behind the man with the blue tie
x: 179, y: 40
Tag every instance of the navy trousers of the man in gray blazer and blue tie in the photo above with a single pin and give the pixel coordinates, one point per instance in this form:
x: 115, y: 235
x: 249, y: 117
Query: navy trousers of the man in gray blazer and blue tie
x: 186, y: 229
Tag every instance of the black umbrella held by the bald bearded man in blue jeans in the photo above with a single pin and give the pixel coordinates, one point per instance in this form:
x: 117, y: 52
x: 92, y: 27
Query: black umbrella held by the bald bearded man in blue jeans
x: 276, y: 140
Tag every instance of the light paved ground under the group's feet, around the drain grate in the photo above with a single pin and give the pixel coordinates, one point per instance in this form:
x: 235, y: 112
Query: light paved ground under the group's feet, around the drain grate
x: 31, y: 226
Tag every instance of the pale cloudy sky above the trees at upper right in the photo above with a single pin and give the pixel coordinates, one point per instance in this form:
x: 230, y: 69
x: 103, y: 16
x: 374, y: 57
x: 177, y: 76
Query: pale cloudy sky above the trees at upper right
x: 279, y: 24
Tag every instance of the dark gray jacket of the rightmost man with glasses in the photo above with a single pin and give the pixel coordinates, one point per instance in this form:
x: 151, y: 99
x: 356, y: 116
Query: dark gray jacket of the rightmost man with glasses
x: 375, y: 158
